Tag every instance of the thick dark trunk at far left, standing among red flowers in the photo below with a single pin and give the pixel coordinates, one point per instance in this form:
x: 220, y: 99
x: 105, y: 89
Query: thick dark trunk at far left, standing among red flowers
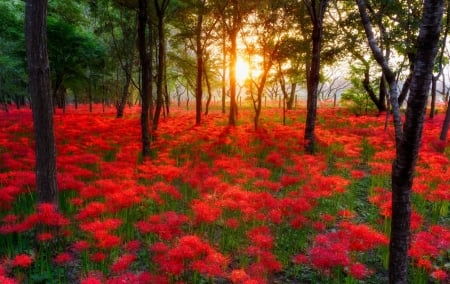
x: 42, y: 107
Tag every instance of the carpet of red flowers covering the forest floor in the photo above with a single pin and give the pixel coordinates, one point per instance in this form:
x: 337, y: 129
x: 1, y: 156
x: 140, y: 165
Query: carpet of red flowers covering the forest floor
x: 217, y: 204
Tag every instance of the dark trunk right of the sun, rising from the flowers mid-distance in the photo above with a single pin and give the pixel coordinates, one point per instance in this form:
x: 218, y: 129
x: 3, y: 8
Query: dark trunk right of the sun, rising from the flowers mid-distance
x: 316, y: 13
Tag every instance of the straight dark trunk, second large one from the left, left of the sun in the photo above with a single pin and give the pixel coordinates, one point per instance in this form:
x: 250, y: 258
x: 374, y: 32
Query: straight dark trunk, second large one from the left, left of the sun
x: 145, y: 77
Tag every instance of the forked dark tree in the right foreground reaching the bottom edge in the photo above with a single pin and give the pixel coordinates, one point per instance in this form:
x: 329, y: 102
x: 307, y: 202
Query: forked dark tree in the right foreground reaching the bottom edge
x: 408, y: 139
